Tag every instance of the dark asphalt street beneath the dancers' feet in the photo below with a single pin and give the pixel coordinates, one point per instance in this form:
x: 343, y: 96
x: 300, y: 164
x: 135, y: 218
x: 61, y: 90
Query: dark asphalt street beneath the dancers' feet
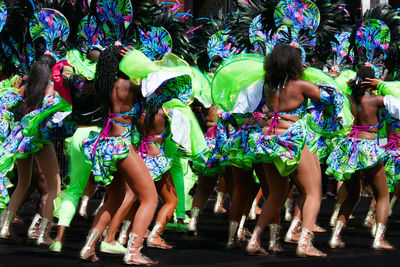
x: 208, y: 249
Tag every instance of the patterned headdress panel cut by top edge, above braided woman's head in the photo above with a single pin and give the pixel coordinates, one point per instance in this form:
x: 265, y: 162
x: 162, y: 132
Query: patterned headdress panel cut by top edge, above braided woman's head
x: 114, y: 14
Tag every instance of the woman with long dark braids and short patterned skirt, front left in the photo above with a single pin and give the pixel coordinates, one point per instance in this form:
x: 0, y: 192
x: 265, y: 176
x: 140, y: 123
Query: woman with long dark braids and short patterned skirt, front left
x: 114, y: 159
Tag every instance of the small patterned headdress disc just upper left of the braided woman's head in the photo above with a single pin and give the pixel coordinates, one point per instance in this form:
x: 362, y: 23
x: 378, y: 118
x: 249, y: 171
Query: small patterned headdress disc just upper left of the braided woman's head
x: 89, y: 31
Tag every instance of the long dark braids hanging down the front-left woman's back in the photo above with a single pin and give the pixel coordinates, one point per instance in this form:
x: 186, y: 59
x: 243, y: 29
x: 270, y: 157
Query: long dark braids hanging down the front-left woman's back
x: 107, y: 70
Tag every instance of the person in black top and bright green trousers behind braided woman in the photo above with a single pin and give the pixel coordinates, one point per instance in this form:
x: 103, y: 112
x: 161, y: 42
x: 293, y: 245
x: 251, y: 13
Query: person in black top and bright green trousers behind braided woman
x: 86, y: 114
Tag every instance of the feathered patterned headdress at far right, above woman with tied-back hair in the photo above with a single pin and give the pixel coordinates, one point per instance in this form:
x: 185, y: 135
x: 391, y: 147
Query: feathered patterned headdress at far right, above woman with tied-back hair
x: 376, y: 40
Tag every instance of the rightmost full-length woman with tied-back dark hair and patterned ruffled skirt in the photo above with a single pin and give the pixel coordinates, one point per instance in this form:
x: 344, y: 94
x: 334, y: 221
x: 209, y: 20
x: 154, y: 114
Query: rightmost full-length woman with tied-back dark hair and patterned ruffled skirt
x: 360, y: 152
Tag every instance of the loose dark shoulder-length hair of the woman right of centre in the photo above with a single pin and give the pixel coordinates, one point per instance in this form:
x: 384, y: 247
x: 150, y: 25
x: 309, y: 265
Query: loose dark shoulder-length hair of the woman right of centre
x: 282, y: 64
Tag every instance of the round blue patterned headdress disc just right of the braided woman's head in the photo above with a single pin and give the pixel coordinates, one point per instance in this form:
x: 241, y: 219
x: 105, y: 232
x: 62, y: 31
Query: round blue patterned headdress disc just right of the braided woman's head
x: 155, y: 42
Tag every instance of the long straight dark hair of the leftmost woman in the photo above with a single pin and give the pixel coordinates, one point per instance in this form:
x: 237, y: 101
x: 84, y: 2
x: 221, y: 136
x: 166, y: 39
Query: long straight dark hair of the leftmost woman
x: 37, y: 81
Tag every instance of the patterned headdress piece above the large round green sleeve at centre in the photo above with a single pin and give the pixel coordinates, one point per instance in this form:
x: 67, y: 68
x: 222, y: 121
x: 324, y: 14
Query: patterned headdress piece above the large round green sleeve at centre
x: 221, y: 44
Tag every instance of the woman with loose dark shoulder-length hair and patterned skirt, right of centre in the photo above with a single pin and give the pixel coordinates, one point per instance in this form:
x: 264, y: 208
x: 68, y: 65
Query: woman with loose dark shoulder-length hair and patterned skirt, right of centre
x: 283, y: 145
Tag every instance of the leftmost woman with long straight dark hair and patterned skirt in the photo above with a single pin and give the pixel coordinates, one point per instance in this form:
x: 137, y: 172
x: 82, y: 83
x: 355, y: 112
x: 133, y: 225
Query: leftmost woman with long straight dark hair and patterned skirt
x: 40, y: 98
